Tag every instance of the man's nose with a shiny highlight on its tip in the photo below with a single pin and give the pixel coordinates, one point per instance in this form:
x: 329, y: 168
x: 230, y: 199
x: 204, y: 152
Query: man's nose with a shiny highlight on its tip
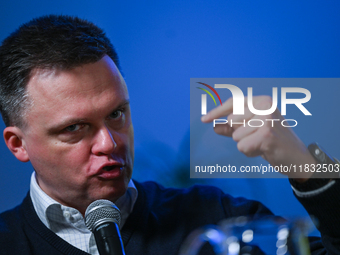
x: 104, y: 143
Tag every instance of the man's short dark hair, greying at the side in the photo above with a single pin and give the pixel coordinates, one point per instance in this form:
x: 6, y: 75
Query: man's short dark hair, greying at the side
x: 47, y: 42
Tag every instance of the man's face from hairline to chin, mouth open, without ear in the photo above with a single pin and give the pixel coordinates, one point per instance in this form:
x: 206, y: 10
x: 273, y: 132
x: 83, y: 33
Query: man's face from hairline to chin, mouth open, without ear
x: 79, y: 135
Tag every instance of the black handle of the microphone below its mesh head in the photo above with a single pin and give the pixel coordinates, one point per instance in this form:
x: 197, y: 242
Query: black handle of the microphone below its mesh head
x: 108, y: 239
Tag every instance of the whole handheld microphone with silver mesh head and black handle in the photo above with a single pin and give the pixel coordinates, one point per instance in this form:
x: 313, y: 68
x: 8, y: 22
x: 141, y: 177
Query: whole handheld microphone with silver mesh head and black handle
x: 103, y: 217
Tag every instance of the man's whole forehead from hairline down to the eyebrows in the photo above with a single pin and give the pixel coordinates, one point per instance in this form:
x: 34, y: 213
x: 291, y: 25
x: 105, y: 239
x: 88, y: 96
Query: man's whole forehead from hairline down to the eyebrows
x: 84, y: 89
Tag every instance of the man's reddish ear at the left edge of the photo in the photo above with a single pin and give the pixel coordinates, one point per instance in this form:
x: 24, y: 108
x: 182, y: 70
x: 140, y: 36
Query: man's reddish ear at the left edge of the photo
x: 14, y: 140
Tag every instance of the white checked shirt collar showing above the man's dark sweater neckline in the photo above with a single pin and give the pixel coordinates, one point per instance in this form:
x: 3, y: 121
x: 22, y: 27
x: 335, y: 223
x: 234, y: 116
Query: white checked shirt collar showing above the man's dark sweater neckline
x: 68, y: 223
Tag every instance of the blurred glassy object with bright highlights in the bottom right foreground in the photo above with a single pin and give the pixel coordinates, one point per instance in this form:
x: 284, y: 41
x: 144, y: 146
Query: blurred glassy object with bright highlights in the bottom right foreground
x: 243, y: 235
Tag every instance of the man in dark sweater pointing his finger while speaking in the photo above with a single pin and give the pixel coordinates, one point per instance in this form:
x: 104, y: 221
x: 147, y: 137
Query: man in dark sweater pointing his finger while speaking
x: 66, y: 108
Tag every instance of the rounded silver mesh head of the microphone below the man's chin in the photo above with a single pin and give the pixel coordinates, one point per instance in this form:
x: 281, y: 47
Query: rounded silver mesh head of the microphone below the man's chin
x: 101, y: 211
